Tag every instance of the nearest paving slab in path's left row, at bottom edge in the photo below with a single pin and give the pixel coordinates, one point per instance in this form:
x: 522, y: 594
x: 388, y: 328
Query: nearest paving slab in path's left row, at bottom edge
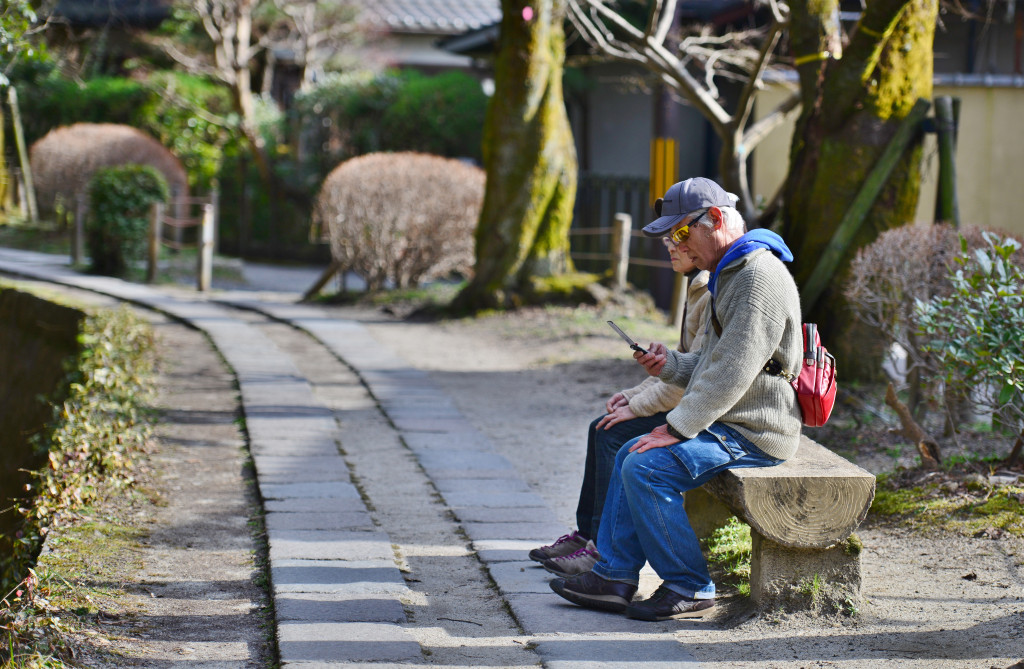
x: 301, y: 642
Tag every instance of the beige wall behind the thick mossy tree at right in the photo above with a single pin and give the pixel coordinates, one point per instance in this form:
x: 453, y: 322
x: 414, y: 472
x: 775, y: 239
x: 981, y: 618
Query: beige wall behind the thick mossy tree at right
x: 990, y: 157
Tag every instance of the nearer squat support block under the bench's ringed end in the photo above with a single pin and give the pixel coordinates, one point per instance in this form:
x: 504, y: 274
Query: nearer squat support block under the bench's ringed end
x: 825, y: 580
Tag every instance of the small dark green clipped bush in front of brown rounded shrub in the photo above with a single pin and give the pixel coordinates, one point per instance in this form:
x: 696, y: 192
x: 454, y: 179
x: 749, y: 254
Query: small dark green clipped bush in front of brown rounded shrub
x: 120, y: 199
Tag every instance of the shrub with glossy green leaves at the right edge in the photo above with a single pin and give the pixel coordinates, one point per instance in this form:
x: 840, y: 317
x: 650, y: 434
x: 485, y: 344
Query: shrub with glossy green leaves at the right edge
x: 976, y: 333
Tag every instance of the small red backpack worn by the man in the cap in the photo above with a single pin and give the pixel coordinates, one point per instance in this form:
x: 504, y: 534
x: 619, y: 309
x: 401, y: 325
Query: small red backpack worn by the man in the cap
x: 815, y: 384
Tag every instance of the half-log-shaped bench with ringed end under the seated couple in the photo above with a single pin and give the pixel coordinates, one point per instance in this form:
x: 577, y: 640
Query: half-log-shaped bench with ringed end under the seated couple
x: 802, y: 516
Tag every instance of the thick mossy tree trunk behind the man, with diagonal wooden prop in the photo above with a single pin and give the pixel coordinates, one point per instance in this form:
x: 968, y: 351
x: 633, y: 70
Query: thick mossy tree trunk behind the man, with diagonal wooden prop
x: 854, y: 104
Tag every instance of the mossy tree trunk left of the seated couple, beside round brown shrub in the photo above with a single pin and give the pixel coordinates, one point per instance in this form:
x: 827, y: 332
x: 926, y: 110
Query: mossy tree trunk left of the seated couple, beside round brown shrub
x: 530, y: 157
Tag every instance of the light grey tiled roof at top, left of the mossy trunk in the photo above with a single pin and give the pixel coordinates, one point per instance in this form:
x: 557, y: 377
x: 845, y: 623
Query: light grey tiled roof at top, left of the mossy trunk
x: 435, y: 17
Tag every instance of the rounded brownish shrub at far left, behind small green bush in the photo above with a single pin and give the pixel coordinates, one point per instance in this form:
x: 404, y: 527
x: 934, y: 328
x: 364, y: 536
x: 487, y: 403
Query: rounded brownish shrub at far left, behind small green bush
x: 66, y: 159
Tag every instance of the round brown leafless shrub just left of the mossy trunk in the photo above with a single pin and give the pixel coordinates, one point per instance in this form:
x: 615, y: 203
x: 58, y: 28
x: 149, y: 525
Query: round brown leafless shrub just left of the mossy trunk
x: 402, y: 219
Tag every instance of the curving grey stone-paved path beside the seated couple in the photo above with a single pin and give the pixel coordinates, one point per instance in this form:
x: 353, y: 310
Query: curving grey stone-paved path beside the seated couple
x: 354, y: 436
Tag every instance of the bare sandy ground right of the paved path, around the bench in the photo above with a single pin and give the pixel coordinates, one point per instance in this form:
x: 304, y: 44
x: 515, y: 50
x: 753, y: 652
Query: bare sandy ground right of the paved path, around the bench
x: 942, y: 601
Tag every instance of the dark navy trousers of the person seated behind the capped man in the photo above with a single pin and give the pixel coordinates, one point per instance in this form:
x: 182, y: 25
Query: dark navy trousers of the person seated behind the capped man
x: 603, y: 446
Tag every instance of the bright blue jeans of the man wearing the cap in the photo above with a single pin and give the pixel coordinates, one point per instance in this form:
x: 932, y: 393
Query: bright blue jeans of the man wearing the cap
x: 645, y: 519
